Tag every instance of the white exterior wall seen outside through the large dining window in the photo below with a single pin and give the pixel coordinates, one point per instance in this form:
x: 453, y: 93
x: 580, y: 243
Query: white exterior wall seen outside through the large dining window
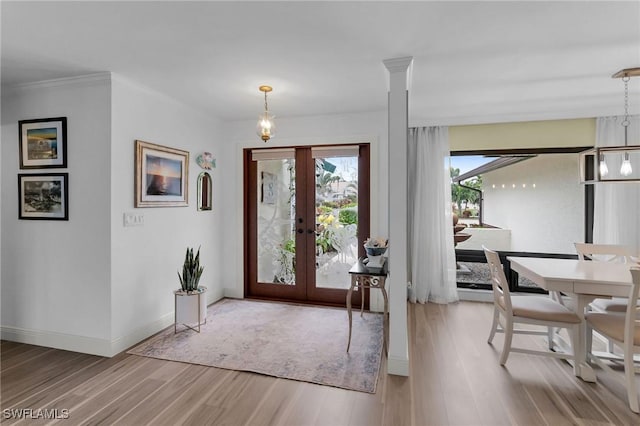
x: 548, y: 218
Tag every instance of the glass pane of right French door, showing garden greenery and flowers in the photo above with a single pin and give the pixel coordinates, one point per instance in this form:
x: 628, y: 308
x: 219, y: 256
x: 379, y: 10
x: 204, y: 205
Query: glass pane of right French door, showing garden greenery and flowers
x: 336, y: 220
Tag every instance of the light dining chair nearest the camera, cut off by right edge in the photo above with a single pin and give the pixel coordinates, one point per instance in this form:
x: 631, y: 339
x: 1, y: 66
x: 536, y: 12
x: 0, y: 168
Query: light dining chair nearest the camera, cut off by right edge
x: 624, y: 330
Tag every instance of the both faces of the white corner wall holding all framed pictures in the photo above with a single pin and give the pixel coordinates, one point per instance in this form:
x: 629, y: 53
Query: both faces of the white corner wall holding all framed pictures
x: 90, y: 284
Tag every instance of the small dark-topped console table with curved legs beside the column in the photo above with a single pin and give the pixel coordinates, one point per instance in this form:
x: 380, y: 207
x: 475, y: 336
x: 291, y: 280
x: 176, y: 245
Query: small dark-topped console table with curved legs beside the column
x: 361, y: 278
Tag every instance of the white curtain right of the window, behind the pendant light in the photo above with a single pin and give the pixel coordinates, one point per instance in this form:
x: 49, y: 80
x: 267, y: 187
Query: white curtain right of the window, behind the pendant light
x: 616, y: 214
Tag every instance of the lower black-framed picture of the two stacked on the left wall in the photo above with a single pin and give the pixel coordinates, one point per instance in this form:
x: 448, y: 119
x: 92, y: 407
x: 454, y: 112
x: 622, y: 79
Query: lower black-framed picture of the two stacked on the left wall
x: 43, y: 196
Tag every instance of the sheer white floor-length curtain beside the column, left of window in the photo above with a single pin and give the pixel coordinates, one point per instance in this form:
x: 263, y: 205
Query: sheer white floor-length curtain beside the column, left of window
x: 431, y: 254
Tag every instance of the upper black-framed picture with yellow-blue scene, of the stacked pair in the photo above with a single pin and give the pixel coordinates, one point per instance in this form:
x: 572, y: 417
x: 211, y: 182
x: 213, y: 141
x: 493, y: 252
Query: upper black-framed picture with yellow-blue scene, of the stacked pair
x: 43, y: 143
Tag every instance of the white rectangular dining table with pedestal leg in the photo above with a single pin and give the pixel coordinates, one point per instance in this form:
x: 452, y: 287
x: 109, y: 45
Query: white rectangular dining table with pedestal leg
x: 581, y: 280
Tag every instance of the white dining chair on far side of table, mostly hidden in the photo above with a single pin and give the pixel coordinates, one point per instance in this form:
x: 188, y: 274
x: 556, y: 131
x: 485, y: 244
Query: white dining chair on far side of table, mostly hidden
x: 606, y: 253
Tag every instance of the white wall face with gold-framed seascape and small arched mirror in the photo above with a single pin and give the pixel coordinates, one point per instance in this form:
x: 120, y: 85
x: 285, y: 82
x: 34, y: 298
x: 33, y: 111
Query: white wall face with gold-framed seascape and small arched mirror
x: 145, y: 259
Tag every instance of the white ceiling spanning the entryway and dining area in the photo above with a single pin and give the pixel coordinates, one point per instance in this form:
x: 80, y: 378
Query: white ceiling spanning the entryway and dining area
x: 474, y: 62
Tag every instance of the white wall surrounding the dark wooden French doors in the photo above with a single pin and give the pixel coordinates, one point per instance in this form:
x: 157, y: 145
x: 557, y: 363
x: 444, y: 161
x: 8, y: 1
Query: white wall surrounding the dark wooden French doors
x: 332, y: 129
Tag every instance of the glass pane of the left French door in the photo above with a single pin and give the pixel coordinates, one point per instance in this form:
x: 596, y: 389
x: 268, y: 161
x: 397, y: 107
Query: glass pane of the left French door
x: 276, y: 221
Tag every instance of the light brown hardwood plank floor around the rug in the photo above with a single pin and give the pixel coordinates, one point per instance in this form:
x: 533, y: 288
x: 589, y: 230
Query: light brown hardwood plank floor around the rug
x: 455, y: 380
